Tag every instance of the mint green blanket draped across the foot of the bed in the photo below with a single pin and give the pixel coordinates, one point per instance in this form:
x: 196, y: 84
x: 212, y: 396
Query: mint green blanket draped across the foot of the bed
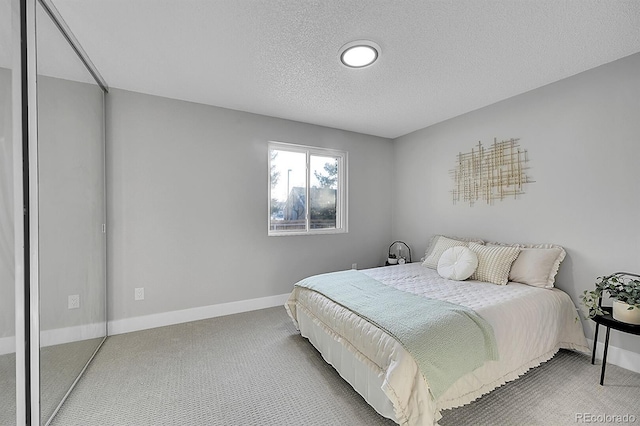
x: 446, y: 340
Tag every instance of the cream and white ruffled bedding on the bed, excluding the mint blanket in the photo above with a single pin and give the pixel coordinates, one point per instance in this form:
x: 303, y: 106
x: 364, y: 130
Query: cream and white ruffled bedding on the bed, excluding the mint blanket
x: 530, y: 325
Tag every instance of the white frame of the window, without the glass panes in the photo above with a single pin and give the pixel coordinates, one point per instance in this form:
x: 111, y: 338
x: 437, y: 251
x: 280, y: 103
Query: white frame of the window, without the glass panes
x: 341, y: 197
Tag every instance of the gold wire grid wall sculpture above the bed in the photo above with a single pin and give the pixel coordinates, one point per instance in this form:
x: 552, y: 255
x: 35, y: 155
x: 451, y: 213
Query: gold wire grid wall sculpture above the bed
x: 493, y: 173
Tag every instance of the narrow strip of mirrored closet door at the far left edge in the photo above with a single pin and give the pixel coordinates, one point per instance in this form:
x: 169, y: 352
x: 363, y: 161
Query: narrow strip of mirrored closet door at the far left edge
x: 7, y: 258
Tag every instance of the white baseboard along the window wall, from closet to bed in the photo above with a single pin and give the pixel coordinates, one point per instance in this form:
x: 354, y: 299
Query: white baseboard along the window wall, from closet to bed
x: 128, y: 325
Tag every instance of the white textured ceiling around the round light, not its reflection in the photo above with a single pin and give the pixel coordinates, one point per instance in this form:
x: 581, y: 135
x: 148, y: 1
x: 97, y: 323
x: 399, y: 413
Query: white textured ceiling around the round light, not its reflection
x: 279, y: 58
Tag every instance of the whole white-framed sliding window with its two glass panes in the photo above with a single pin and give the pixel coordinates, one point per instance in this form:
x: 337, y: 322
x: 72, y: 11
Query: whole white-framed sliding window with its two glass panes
x: 299, y: 173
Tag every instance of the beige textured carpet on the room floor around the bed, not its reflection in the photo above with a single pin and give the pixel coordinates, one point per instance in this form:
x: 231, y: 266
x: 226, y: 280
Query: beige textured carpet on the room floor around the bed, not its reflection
x: 255, y: 369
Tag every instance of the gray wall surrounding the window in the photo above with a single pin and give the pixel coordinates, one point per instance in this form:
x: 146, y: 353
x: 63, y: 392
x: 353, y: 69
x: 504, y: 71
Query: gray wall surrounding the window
x: 187, y: 205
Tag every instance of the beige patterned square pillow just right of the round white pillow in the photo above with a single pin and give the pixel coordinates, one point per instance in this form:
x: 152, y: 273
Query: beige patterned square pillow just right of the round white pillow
x: 494, y: 263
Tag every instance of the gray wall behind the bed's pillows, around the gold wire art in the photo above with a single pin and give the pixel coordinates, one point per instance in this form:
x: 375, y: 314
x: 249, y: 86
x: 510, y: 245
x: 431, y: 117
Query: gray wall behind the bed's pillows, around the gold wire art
x: 583, y: 138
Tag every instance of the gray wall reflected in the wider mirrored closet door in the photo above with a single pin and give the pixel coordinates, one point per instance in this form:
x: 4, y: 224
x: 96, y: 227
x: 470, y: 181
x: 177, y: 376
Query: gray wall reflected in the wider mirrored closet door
x: 71, y: 202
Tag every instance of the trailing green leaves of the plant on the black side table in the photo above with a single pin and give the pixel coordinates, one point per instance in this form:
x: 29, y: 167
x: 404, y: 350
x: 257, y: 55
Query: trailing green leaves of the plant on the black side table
x: 619, y: 286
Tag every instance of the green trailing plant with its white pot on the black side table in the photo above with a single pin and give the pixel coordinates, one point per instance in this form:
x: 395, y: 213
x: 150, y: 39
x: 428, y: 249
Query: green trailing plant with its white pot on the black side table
x: 624, y: 289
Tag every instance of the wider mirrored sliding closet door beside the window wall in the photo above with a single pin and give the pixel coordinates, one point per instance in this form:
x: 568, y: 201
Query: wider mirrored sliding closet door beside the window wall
x: 71, y: 214
